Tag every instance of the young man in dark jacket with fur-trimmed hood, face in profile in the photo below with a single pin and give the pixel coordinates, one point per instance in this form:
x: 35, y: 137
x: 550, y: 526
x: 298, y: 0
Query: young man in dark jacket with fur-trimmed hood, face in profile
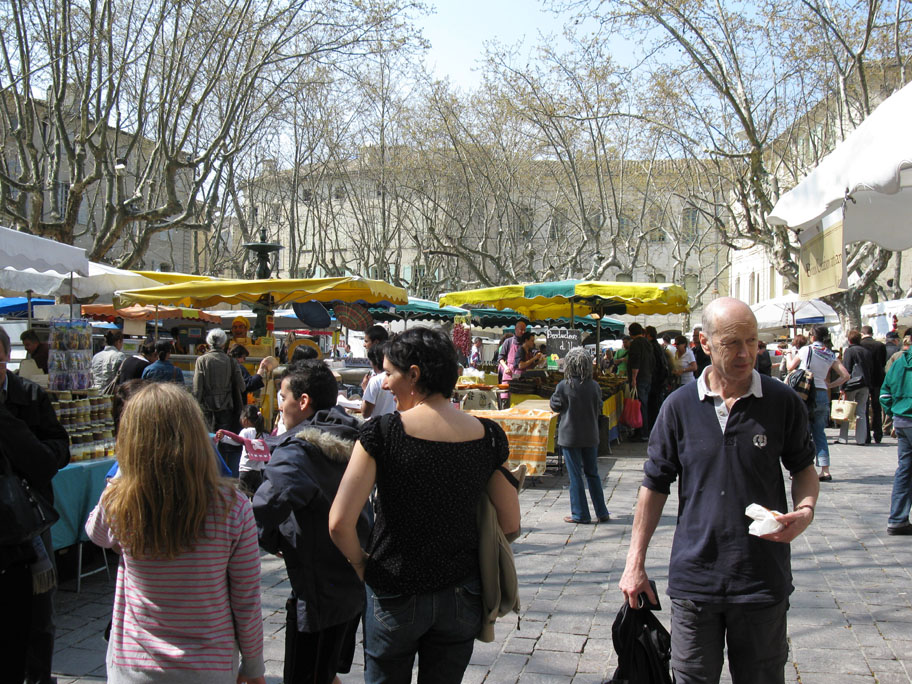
x: 292, y: 512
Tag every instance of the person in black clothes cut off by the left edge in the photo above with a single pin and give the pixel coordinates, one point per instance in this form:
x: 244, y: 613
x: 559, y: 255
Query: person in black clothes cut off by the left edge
x: 36, y: 446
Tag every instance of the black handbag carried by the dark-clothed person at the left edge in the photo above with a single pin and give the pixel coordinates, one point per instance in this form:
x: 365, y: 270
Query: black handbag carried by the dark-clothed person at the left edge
x: 24, y: 513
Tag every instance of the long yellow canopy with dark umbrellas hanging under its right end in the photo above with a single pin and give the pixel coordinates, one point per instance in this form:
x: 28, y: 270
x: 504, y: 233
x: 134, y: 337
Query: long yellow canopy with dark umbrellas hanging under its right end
x: 200, y: 294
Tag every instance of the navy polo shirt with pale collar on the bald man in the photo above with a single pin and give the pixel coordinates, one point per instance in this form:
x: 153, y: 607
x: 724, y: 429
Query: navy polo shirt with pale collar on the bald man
x: 713, y: 558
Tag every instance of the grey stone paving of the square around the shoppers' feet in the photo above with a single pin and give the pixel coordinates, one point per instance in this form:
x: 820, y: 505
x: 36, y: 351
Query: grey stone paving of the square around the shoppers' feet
x: 850, y: 617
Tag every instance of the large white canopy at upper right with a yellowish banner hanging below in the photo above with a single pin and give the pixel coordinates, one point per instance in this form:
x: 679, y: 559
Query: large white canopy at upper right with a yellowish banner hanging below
x: 866, y: 180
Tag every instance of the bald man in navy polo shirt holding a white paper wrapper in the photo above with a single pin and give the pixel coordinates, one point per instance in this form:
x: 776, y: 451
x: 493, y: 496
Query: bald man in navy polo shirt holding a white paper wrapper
x: 725, y: 439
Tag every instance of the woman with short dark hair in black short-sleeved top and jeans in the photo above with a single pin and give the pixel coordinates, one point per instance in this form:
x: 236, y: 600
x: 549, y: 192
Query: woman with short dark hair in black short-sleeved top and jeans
x: 431, y: 464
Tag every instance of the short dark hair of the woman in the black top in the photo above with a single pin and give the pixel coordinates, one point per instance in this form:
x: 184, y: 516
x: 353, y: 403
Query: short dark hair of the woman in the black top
x: 434, y: 354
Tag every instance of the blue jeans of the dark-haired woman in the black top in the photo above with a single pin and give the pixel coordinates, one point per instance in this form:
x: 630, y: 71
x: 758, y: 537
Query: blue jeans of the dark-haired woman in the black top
x: 439, y: 627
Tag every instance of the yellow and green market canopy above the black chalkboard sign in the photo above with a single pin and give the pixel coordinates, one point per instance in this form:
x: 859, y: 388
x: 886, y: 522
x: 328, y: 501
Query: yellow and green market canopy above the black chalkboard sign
x: 552, y: 300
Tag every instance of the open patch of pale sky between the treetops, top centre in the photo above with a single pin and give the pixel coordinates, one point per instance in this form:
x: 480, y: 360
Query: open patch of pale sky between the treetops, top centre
x: 459, y: 29
